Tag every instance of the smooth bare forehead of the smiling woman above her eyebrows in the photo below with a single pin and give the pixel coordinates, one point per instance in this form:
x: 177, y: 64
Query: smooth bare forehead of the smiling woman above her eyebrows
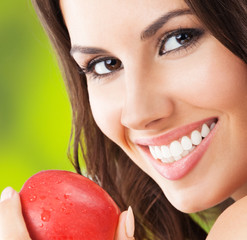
x: 89, y: 21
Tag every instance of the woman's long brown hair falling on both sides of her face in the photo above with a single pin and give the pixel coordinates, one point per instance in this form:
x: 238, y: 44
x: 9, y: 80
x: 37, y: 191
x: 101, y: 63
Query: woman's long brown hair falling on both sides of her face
x: 105, y: 162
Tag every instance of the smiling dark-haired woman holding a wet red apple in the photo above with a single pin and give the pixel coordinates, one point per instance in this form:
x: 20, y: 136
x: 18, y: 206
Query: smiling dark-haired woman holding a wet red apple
x: 158, y: 92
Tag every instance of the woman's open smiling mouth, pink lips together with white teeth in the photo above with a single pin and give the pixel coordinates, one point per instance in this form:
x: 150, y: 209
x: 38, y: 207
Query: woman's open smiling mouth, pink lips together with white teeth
x: 177, y: 152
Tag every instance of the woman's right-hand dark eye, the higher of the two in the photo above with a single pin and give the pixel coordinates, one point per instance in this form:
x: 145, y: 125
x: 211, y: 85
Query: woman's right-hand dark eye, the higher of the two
x: 178, y: 39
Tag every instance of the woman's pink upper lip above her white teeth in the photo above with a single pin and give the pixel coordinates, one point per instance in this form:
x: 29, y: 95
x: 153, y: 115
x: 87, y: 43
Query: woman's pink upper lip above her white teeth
x: 168, y: 137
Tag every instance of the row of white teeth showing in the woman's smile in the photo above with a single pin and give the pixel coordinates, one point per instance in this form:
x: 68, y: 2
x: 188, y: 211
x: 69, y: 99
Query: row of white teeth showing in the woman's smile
x: 179, y: 149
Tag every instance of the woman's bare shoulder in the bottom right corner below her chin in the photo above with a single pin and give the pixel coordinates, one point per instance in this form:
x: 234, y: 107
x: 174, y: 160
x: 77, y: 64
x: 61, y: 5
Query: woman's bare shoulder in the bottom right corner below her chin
x: 232, y: 223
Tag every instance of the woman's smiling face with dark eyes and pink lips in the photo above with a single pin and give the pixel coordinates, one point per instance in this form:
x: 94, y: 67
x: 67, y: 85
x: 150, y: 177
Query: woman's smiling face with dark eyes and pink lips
x: 156, y: 78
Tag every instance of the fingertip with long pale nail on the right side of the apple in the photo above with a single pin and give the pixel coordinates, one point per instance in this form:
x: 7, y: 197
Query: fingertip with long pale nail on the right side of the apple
x: 126, y: 226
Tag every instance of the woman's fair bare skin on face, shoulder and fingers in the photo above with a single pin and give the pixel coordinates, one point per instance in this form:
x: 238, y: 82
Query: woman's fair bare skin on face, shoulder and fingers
x: 153, y: 94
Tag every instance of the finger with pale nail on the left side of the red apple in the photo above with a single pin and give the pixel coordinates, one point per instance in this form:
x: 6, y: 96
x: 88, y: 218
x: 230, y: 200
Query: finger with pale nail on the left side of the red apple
x: 12, y: 225
